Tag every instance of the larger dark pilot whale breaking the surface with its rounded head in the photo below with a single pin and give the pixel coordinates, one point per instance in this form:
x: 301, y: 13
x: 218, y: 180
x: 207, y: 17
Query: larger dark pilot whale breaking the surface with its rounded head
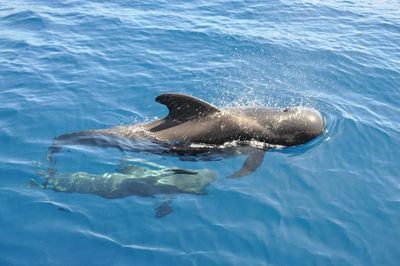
x: 199, y: 129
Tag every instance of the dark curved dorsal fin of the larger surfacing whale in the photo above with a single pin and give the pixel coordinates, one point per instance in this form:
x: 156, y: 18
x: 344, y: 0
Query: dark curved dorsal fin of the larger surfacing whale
x: 185, y: 107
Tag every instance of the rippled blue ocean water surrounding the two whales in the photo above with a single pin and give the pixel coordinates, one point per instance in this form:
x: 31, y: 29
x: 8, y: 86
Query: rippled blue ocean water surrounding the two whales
x: 73, y: 65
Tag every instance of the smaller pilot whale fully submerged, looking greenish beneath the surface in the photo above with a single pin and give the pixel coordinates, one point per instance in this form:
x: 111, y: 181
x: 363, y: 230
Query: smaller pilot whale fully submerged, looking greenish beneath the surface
x: 140, y: 179
